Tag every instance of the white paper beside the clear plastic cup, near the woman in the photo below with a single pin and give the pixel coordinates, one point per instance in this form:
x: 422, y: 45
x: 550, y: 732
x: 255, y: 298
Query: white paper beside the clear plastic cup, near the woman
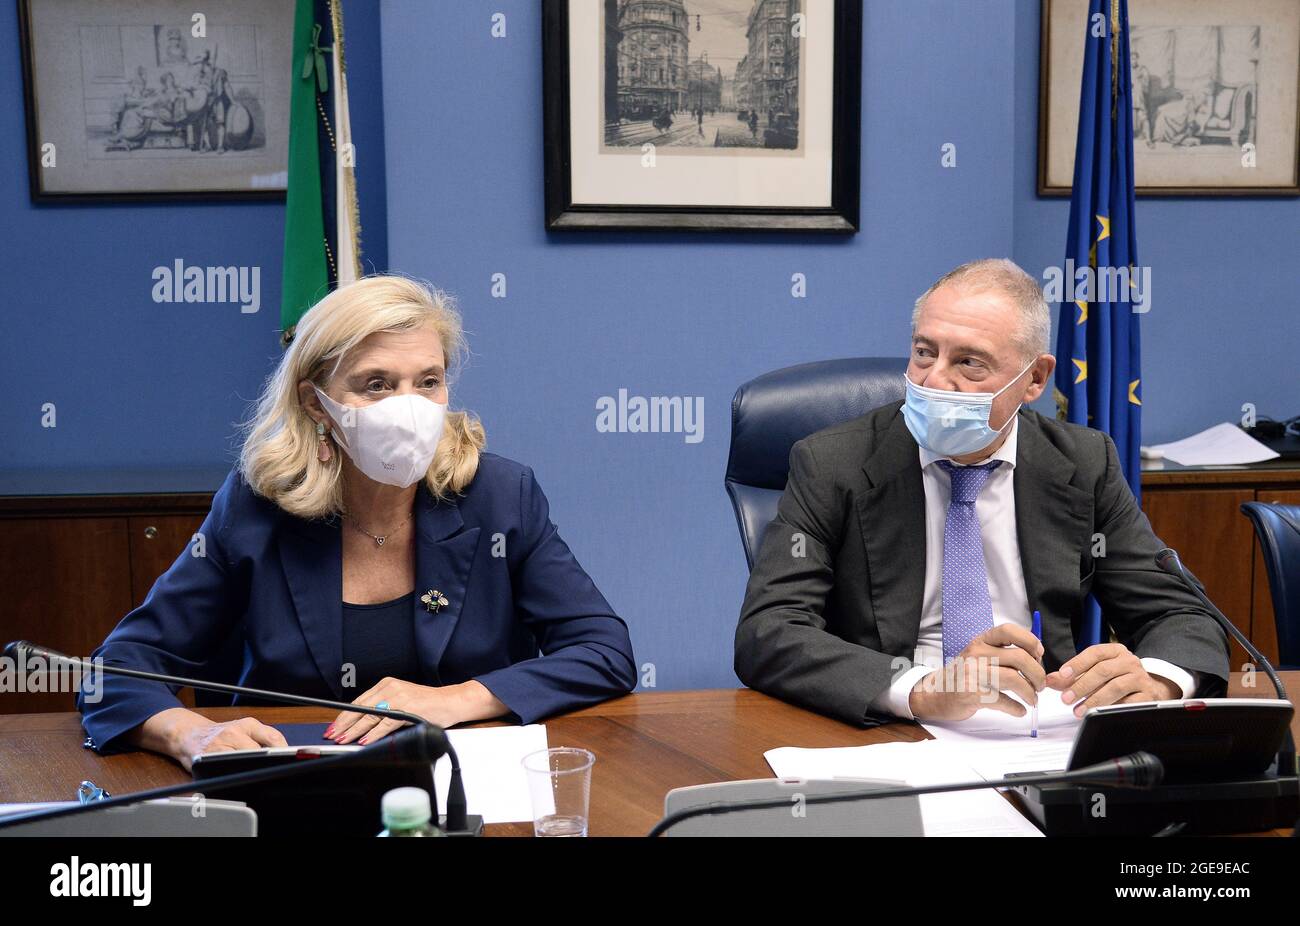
x: 492, y: 771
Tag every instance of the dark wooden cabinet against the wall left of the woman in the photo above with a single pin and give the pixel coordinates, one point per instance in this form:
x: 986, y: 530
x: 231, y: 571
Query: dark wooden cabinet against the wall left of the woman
x: 72, y: 566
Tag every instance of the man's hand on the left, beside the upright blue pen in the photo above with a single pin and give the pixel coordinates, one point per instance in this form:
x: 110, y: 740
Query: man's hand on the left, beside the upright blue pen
x: 1007, y: 659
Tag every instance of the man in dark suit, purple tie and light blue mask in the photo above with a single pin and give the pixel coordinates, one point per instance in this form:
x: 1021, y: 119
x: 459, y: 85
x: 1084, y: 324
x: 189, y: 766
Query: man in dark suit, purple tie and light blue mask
x: 913, y: 546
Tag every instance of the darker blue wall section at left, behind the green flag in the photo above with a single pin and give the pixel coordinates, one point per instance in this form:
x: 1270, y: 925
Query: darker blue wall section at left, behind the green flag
x: 137, y: 383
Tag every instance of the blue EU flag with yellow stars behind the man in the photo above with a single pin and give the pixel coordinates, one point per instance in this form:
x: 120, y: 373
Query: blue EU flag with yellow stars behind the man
x: 1098, y: 377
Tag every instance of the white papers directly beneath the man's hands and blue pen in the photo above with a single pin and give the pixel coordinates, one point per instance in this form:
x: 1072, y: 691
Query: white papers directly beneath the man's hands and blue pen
x: 998, y: 745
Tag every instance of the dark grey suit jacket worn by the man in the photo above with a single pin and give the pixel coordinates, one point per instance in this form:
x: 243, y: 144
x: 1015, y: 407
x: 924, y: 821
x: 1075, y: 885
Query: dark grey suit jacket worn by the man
x: 824, y: 630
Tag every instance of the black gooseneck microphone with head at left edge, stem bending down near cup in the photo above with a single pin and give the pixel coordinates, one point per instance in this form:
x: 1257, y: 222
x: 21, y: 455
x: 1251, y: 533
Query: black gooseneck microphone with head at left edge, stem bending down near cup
x: 457, y: 808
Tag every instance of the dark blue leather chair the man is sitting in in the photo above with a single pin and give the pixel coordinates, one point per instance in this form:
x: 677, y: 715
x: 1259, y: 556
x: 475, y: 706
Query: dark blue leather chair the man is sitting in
x: 775, y: 410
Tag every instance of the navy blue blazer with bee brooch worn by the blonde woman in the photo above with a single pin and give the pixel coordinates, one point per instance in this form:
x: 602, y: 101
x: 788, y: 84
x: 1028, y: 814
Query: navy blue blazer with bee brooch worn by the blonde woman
x: 513, y: 589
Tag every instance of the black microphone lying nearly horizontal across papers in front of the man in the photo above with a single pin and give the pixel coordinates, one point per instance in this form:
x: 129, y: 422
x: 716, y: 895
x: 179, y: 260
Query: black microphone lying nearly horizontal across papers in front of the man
x: 1141, y: 771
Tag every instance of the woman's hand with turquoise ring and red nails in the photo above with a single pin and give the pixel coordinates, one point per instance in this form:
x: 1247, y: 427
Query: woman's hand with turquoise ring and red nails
x: 444, y: 707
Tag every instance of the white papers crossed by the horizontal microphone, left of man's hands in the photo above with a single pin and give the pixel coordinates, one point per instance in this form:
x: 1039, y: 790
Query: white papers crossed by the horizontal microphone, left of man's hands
x: 963, y: 814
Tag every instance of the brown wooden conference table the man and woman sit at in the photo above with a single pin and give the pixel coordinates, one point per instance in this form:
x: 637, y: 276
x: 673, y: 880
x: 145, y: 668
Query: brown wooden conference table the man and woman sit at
x: 645, y: 745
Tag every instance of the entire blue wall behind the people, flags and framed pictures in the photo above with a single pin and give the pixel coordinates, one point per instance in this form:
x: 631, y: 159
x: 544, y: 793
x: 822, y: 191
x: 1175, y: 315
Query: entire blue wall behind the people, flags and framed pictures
x: 587, y: 315
